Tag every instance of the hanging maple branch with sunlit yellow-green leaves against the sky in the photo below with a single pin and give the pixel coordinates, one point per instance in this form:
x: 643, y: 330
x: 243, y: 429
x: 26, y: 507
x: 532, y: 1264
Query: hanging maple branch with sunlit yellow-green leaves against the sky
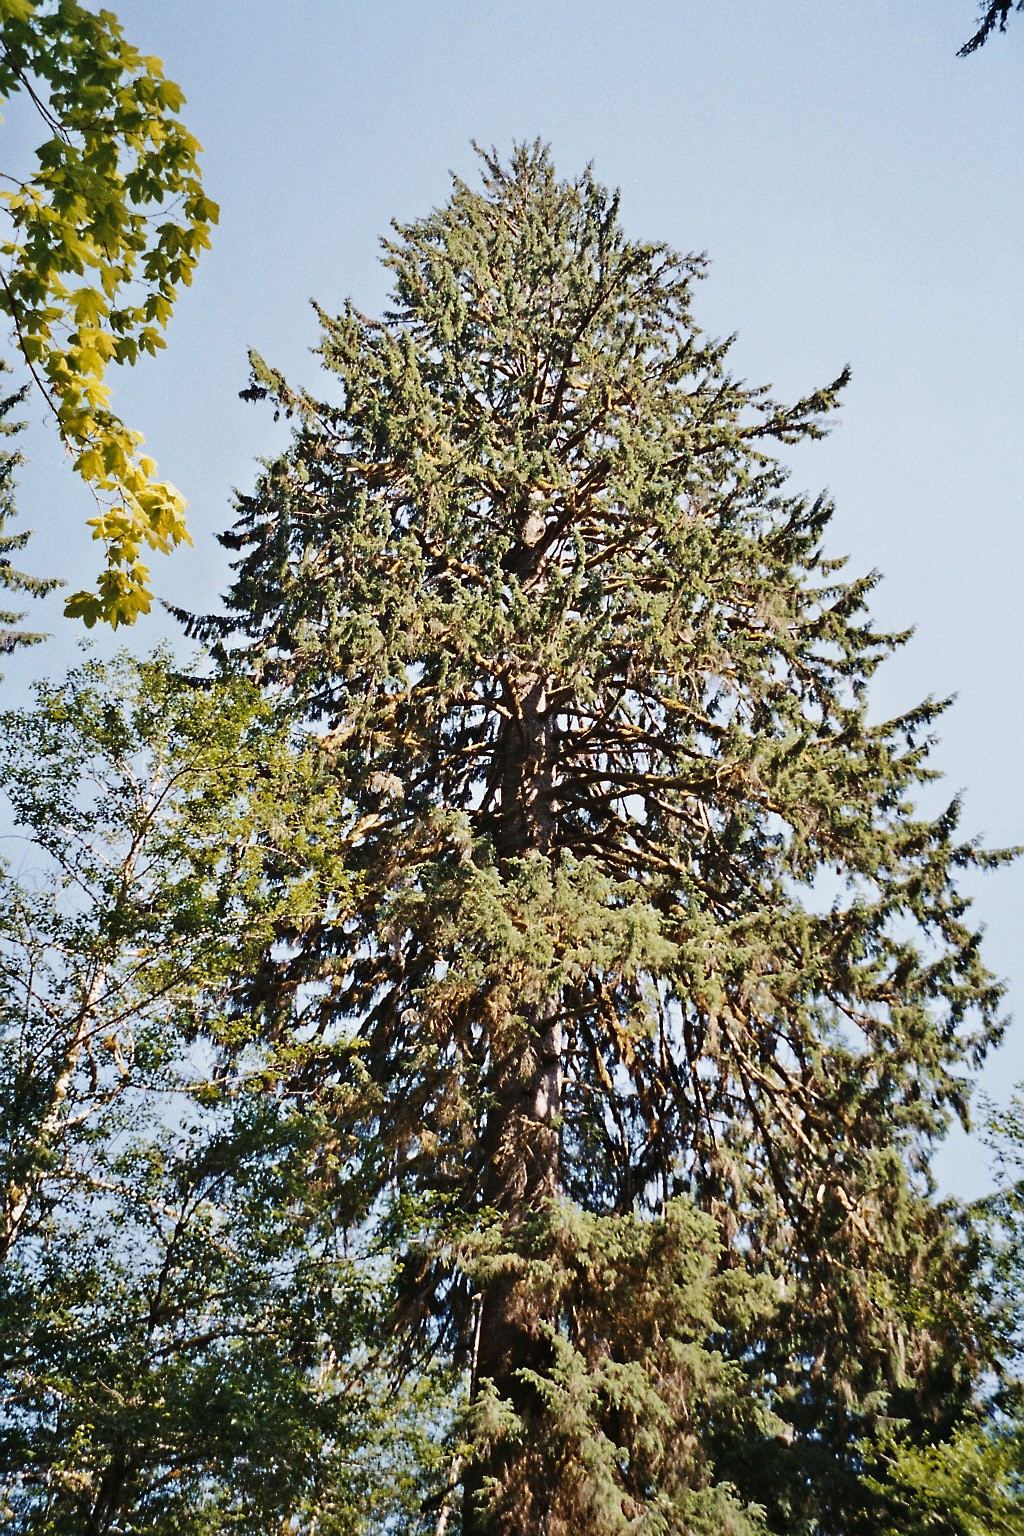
x: 88, y: 274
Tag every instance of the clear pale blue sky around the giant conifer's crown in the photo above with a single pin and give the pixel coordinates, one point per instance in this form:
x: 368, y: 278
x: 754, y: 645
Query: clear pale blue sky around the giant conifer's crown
x: 854, y: 184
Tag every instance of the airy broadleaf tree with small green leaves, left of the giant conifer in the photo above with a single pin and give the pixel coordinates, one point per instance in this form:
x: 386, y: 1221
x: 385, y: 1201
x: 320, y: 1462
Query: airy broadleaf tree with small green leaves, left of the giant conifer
x: 190, y: 1343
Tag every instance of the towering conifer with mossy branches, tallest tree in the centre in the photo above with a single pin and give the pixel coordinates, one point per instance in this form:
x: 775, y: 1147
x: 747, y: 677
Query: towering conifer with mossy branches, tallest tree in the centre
x: 644, y: 905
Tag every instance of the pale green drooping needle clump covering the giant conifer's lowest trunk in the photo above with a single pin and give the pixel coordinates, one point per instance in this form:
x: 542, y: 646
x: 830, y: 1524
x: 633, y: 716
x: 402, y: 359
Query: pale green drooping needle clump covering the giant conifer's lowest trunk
x: 613, y: 1432
